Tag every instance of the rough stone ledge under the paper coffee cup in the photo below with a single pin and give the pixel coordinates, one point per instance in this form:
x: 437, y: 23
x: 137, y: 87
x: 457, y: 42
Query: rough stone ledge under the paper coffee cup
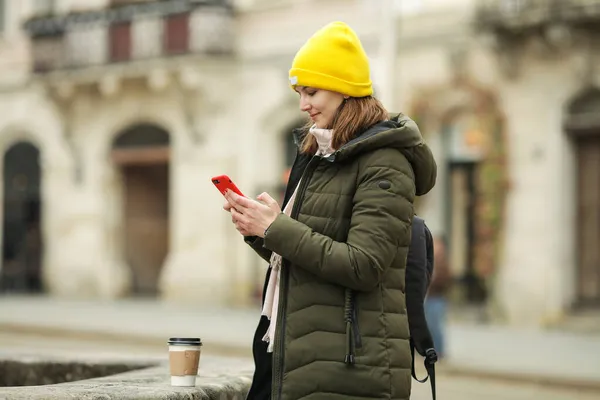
x: 147, y: 384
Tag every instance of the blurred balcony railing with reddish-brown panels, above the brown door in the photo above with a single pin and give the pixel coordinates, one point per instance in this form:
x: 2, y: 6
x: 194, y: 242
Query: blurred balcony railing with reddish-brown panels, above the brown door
x: 138, y: 31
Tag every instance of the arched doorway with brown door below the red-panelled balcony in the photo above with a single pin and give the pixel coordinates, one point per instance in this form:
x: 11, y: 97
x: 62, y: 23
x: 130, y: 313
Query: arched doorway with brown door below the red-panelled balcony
x: 142, y: 154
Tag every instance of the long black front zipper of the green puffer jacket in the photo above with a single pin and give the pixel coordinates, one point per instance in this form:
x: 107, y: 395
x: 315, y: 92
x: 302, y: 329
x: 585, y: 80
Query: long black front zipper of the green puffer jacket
x: 279, y: 345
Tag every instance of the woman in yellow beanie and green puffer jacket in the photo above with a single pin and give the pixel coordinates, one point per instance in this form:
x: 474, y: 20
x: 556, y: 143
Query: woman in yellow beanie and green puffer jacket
x: 334, y: 323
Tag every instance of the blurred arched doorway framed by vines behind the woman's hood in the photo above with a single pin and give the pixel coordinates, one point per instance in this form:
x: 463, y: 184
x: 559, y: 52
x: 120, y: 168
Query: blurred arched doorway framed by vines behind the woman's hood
x: 462, y: 121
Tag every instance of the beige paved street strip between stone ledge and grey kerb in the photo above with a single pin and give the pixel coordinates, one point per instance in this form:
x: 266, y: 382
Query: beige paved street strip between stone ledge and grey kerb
x: 449, y: 387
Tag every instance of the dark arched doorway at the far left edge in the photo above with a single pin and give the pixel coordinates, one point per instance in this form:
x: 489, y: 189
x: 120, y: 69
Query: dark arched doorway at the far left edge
x: 22, y: 246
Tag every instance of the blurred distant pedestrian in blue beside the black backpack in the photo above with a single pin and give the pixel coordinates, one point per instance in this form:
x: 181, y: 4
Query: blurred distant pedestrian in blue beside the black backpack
x: 436, y: 303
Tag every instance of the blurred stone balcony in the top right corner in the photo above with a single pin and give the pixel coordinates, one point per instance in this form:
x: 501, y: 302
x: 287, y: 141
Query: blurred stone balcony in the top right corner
x: 519, y: 15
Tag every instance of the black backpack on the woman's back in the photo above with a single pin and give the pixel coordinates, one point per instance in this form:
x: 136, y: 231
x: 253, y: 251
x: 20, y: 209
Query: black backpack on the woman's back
x: 419, y: 270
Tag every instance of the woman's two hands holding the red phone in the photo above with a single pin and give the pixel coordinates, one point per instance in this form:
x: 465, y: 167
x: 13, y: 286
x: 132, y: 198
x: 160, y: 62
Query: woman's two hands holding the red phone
x: 251, y: 217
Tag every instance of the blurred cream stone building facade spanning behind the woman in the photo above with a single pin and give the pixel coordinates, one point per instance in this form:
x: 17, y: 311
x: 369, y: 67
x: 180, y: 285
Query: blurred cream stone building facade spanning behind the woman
x: 129, y: 107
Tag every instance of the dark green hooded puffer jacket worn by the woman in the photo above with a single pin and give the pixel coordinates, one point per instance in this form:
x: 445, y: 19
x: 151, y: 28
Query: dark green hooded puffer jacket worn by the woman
x: 342, y: 329
